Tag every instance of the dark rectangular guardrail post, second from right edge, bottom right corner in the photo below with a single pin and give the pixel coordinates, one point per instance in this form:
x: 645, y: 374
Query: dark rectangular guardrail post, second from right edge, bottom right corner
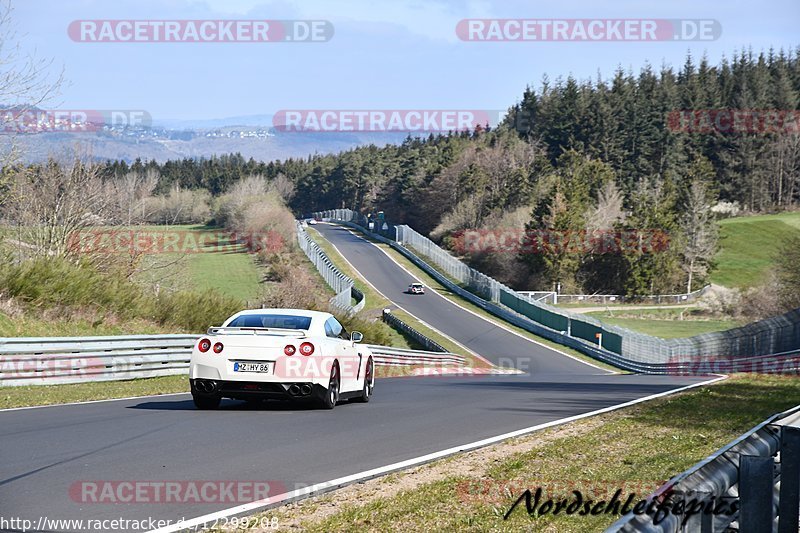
x: 756, y: 481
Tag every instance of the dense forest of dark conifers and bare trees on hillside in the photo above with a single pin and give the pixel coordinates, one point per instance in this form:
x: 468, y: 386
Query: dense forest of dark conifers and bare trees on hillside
x: 573, y: 157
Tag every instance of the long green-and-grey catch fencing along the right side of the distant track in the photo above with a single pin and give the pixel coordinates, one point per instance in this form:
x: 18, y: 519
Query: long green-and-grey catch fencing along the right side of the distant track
x: 619, y: 346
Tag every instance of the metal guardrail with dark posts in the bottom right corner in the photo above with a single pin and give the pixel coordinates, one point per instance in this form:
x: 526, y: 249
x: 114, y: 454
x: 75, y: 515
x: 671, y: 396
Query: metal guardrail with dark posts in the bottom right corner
x: 745, y: 470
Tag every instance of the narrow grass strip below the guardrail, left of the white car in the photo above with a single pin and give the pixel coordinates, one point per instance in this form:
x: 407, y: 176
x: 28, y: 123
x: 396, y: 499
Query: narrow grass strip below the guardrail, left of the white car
x: 81, y: 392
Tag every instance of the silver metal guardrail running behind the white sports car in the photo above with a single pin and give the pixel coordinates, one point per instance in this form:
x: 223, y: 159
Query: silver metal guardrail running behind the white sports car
x: 61, y: 360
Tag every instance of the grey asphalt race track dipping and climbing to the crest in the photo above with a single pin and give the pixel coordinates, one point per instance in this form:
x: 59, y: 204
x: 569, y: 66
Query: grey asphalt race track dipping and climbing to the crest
x: 46, y: 451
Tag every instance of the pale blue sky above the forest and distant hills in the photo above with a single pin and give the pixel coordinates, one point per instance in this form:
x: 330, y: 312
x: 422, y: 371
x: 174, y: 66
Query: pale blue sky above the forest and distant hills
x: 384, y: 55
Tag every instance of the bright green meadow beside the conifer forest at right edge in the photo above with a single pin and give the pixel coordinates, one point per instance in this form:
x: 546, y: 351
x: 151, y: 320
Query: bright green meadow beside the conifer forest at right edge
x: 748, y: 246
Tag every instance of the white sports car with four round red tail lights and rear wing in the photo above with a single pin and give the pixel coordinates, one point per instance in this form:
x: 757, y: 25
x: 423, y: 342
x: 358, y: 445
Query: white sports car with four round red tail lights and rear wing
x: 281, y: 354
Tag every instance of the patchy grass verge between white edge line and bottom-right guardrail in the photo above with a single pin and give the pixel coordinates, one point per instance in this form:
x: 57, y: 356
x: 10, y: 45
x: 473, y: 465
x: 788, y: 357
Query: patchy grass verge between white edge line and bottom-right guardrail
x: 636, y: 449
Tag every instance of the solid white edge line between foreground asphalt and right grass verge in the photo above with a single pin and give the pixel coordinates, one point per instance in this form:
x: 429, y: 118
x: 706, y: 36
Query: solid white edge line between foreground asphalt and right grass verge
x: 320, y: 488
